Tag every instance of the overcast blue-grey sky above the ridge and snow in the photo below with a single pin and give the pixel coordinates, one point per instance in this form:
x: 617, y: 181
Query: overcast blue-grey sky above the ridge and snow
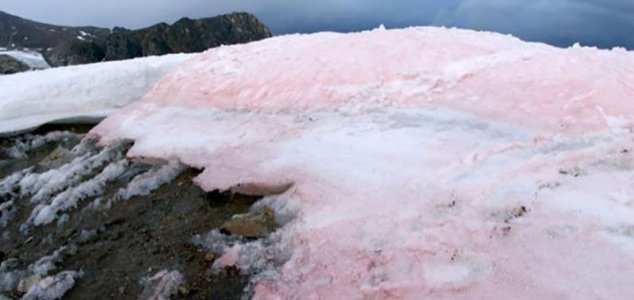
x: 604, y: 23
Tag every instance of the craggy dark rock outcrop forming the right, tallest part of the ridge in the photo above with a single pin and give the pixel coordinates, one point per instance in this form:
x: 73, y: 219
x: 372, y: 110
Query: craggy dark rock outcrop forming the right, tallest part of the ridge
x: 185, y: 36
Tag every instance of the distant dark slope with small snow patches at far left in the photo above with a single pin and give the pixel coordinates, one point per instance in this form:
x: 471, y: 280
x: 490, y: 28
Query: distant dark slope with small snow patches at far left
x: 16, y: 32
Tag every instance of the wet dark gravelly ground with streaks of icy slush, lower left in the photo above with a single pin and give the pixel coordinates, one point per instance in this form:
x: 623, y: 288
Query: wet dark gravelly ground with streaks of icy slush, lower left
x: 125, y: 236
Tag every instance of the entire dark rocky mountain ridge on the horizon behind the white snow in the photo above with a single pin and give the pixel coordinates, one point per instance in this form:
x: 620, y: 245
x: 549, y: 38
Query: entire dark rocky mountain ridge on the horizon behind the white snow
x: 65, y: 45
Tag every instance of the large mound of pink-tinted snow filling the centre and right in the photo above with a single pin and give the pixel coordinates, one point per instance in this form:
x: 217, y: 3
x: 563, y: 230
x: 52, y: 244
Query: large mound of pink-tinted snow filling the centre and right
x: 425, y: 163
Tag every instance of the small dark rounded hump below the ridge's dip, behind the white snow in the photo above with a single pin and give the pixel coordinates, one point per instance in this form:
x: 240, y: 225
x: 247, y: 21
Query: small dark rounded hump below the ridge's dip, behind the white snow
x: 74, y: 52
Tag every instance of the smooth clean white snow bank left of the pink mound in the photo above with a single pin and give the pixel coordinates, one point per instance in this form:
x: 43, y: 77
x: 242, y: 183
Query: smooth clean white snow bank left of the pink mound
x: 78, y: 93
